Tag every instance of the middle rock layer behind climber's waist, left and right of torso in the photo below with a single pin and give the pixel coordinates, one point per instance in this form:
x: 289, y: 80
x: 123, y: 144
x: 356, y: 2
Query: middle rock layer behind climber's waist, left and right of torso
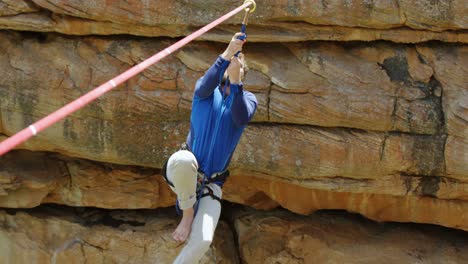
x: 290, y: 151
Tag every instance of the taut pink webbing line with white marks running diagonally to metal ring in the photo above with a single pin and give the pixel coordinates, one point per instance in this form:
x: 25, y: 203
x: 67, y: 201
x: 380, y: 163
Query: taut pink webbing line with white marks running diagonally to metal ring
x: 74, y: 106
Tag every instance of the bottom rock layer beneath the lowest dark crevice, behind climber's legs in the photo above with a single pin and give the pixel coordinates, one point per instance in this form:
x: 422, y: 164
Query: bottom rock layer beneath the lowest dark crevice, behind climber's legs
x: 85, y: 235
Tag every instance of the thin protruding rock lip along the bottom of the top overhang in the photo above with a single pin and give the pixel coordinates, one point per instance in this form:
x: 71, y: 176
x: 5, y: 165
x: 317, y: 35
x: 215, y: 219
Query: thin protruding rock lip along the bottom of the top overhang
x: 279, y: 31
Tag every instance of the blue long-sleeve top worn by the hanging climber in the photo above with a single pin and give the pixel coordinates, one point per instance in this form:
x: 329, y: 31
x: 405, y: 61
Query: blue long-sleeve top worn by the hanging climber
x: 216, y: 124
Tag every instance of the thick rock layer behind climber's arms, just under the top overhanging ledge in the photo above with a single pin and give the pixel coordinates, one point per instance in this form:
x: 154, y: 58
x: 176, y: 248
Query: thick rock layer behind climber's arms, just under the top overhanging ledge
x: 381, y: 87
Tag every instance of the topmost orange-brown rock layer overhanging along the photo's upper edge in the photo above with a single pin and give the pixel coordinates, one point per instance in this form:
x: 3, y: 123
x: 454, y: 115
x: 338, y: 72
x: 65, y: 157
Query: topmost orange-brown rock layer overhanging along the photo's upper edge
x: 397, y: 21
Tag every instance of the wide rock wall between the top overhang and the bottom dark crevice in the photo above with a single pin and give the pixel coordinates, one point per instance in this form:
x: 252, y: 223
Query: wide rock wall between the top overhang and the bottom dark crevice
x: 351, y: 120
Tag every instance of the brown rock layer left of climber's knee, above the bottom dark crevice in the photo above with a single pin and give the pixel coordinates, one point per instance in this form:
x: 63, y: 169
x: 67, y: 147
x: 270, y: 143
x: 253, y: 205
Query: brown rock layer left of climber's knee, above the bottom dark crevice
x: 28, y: 179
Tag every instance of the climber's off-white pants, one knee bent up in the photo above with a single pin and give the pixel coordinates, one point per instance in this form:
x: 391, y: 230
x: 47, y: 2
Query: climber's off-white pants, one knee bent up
x: 180, y: 173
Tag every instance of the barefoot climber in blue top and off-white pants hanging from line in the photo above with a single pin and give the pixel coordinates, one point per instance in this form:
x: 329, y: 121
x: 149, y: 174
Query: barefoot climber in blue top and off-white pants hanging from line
x: 221, y: 109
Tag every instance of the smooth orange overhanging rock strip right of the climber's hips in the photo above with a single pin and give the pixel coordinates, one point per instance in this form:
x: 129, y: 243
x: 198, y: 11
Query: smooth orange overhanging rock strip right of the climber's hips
x: 379, y: 207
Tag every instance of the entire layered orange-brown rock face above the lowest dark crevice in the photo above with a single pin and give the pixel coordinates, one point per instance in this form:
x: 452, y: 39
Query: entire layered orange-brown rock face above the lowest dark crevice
x: 362, y: 106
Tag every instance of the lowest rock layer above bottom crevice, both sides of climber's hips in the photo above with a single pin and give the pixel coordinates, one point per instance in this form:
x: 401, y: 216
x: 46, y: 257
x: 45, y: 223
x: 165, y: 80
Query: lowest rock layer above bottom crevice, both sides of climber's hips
x: 28, y: 179
